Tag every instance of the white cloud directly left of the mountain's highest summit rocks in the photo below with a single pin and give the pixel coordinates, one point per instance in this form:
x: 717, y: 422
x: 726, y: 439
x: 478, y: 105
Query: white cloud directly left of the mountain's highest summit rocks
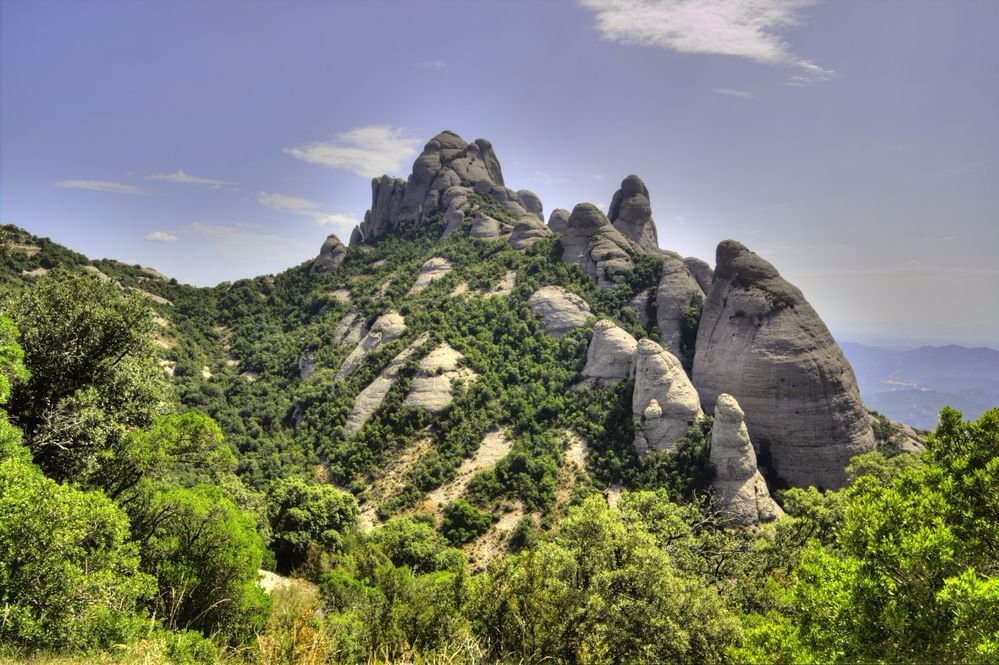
x: 368, y: 151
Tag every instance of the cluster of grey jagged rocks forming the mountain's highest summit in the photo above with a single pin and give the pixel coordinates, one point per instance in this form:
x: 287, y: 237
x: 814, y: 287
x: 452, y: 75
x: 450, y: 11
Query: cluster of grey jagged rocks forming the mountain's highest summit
x: 444, y: 176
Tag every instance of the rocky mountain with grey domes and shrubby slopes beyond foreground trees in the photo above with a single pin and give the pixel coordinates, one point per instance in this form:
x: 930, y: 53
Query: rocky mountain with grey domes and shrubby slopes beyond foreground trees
x: 462, y: 348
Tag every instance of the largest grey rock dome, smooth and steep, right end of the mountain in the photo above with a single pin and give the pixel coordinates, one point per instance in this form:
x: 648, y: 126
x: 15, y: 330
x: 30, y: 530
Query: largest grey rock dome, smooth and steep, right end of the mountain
x: 760, y: 341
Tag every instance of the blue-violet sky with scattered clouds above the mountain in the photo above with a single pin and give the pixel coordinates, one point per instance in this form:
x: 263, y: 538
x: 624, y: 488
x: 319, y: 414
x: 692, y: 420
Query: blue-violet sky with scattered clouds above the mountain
x: 852, y: 143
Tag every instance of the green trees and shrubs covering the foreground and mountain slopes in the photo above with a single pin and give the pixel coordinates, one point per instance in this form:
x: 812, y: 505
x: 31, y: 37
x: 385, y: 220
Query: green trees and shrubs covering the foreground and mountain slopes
x: 136, y: 508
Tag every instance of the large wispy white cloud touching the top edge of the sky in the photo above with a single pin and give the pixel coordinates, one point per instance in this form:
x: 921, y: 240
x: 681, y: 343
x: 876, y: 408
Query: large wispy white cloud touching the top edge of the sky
x: 742, y: 28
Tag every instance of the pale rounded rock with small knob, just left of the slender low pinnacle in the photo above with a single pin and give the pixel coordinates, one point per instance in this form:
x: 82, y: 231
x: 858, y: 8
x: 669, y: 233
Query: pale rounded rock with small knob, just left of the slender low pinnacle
x: 664, y: 404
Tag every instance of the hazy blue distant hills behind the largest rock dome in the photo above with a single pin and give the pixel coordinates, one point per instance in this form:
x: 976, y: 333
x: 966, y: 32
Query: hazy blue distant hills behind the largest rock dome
x: 912, y: 385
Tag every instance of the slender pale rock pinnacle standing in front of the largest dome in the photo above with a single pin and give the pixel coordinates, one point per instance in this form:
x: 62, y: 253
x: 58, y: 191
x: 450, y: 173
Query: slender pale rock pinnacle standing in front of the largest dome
x: 741, y: 494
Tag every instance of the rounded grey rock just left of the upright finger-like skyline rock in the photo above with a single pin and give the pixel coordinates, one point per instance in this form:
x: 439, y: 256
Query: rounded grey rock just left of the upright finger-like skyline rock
x: 598, y: 248
